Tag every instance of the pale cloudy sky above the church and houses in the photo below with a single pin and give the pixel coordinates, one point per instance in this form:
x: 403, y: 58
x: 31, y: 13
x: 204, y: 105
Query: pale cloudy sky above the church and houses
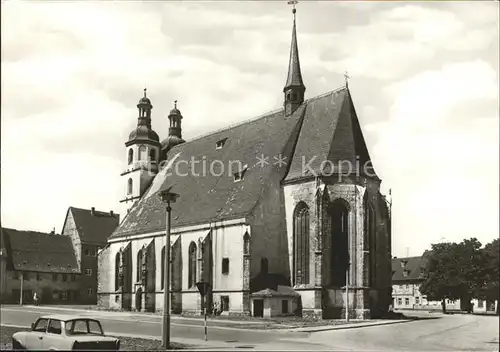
x: 424, y: 81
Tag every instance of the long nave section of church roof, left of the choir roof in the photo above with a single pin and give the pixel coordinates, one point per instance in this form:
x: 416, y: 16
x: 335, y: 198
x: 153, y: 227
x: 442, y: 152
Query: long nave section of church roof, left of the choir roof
x: 208, y: 197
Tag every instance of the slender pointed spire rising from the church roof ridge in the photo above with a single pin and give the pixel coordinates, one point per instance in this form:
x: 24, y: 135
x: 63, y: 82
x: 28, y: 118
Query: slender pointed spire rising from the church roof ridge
x: 294, y: 88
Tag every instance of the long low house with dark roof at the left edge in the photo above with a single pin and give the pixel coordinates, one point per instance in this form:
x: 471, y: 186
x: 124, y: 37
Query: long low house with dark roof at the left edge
x: 37, y: 262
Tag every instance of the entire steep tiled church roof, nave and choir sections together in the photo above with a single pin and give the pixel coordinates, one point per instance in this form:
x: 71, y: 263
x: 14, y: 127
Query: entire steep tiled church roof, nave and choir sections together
x: 322, y: 128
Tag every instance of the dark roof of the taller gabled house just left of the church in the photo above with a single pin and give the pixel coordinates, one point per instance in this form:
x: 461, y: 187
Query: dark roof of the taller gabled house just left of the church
x: 94, y: 228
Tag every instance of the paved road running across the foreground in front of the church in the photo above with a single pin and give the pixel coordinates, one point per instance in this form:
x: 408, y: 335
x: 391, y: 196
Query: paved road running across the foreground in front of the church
x: 434, y: 332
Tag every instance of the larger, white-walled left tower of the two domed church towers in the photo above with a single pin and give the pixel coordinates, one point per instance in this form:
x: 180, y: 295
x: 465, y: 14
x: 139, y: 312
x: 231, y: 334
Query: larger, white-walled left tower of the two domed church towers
x: 142, y: 155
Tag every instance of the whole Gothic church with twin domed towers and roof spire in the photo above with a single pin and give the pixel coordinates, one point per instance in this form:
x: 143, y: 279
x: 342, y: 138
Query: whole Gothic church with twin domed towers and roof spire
x: 289, y: 198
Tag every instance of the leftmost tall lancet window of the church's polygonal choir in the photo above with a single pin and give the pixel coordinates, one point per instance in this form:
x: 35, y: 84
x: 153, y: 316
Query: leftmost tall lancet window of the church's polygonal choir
x: 301, y: 244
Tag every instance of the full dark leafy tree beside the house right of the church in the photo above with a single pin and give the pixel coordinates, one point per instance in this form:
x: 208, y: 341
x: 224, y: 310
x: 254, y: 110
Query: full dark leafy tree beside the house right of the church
x: 453, y: 271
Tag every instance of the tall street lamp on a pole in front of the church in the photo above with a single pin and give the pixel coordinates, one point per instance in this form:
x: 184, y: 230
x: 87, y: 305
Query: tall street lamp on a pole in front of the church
x: 167, y: 197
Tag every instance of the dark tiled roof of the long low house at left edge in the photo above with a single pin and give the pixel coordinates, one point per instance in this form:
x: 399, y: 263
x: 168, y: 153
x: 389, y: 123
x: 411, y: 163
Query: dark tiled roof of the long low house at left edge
x: 36, y: 251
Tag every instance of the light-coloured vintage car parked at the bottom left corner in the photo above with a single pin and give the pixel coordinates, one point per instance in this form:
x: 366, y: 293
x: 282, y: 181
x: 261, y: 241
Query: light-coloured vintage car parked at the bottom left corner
x: 64, y: 332
